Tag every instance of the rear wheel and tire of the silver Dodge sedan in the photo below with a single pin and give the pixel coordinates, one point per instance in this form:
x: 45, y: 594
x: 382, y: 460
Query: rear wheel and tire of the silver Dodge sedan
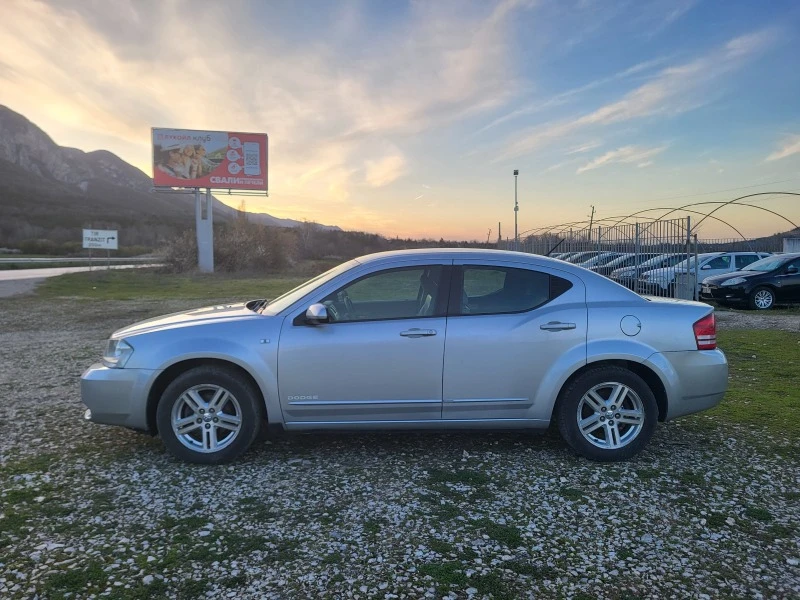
x: 605, y: 438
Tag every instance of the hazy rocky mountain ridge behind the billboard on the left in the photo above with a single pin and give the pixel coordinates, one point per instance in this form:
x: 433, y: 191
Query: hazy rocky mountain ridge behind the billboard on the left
x: 50, y: 192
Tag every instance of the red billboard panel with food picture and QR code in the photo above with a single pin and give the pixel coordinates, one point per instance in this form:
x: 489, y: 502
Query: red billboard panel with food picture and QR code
x: 210, y: 159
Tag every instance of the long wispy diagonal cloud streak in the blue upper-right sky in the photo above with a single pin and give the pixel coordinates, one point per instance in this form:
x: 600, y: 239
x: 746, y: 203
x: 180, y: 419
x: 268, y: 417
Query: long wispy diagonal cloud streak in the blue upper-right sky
x: 673, y: 91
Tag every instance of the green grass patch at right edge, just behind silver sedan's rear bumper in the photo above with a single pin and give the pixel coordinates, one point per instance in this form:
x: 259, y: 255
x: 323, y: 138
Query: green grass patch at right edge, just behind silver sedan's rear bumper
x: 763, y: 391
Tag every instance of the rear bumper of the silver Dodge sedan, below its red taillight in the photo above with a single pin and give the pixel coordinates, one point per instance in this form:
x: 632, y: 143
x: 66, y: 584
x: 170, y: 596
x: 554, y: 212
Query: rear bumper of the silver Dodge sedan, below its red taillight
x: 696, y: 380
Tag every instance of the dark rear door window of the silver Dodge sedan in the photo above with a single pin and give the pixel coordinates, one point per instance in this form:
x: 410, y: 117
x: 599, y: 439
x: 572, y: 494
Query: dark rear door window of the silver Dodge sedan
x: 484, y: 290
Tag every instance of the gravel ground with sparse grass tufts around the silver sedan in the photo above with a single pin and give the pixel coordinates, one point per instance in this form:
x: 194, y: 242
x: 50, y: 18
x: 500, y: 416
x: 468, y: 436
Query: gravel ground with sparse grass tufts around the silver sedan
x: 92, y: 511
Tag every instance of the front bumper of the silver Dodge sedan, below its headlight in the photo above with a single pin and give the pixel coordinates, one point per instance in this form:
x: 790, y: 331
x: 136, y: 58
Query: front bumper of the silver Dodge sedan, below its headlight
x: 117, y: 396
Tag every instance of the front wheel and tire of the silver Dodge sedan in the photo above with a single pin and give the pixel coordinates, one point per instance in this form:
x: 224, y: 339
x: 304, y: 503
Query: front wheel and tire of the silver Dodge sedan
x: 220, y: 413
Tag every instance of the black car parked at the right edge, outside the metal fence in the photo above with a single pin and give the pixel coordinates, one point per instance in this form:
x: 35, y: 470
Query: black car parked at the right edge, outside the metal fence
x: 758, y: 286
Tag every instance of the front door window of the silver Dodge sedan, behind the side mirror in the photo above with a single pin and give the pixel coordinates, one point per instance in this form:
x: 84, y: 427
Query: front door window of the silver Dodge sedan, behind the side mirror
x: 392, y: 294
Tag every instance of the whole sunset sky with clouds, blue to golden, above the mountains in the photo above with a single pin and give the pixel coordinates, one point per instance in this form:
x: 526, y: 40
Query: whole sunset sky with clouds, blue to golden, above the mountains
x: 408, y: 118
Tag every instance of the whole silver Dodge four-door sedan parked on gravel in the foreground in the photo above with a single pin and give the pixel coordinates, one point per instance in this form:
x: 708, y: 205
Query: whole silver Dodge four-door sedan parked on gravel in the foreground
x: 416, y: 339
